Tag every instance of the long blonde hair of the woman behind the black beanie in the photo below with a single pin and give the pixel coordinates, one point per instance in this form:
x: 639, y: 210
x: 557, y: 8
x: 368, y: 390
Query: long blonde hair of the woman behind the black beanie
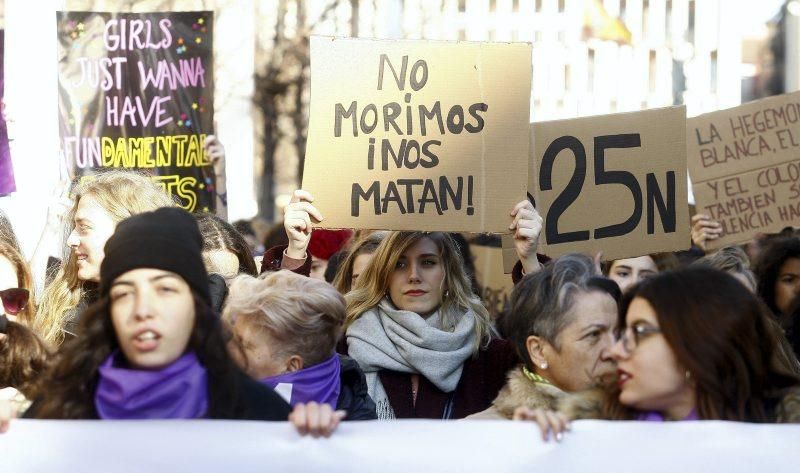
x: 121, y: 194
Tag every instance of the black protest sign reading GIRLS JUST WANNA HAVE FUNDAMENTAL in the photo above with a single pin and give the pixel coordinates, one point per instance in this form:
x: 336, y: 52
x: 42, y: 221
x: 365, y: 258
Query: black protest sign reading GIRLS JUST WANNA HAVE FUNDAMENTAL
x: 135, y: 92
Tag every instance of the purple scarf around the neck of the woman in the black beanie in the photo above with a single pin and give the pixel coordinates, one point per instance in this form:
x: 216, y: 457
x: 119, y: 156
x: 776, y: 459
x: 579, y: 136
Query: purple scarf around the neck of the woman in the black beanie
x: 178, y: 391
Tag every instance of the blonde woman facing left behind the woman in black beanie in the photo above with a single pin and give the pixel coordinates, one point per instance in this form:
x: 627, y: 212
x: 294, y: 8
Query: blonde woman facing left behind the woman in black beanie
x: 100, y: 204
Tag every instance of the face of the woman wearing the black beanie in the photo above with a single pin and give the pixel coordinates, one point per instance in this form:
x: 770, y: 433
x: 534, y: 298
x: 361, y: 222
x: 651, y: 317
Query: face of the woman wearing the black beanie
x: 153, y: 315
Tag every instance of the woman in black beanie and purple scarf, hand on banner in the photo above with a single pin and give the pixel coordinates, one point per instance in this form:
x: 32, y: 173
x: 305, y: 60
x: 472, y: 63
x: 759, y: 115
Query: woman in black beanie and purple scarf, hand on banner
x: 150, y: 347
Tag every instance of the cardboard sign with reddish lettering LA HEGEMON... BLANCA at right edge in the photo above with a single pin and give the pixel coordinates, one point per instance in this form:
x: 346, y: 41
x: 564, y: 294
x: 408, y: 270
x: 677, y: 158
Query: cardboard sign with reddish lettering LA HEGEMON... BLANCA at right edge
x: 745, y: 167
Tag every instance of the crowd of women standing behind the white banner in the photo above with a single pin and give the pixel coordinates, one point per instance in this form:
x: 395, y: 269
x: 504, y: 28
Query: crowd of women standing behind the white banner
x: 150, y: 312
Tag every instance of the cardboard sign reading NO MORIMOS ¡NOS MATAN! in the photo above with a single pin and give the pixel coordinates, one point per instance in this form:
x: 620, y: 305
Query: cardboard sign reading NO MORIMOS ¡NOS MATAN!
x: 418, y: 135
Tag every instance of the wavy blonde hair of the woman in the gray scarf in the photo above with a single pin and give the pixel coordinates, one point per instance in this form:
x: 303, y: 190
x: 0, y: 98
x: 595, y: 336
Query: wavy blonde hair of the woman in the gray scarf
x: 373, y: 284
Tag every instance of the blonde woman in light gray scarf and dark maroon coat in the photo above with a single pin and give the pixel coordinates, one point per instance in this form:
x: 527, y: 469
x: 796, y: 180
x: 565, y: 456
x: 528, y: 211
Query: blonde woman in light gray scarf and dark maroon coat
x: 423, y: 339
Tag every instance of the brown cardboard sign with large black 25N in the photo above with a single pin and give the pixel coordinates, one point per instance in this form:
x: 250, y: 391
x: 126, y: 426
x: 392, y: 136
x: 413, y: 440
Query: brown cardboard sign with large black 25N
x: 612, y: 183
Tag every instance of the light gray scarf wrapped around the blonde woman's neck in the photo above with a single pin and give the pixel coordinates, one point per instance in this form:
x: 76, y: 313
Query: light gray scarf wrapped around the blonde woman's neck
x: 398, y: 340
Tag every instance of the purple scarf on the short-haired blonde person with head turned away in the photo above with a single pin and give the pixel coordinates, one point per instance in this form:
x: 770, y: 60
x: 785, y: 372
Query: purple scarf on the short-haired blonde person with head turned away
x: 319, y: 383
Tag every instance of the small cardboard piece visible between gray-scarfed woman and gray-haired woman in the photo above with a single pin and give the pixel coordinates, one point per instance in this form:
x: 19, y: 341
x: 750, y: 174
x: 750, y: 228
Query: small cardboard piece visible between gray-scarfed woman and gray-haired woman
x: 495, y: 283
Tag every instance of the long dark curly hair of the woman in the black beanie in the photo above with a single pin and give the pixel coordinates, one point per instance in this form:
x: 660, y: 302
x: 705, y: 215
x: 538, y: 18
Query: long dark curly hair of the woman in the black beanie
x: 69, y: 386
